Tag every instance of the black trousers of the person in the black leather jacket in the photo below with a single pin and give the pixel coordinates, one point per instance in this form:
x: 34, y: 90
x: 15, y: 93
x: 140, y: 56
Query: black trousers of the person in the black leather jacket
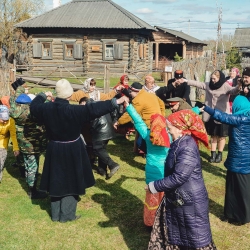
x: 104, y: 160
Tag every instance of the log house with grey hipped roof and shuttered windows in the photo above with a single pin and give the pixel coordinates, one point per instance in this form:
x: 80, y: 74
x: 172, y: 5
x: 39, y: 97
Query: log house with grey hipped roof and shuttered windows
x: 86, y: 35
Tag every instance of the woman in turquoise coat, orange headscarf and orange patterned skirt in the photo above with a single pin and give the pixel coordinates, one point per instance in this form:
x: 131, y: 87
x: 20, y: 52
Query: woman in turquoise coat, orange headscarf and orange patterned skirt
x: 157, y: 141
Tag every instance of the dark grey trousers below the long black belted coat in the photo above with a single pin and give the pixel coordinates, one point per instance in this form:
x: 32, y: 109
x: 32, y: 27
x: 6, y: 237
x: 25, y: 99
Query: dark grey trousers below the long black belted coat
x: 64, y: 208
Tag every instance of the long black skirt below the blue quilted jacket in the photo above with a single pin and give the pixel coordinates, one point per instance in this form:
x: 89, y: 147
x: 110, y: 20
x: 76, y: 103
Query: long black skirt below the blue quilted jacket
x: 237, y: 198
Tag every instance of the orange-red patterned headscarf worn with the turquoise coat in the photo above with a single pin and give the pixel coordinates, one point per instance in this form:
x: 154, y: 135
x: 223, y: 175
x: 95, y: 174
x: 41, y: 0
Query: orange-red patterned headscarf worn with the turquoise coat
x: 158, y: 133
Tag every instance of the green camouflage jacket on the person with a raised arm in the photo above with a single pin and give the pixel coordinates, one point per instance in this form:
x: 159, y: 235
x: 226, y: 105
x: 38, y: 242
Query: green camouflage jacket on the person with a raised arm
x: 31, y: 136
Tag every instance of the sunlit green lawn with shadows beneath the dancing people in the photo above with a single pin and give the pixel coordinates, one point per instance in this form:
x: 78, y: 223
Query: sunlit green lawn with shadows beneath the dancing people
x: 111, y: 210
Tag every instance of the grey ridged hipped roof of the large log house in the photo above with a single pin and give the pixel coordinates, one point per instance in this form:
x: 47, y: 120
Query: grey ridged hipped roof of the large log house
x: 87, y: 14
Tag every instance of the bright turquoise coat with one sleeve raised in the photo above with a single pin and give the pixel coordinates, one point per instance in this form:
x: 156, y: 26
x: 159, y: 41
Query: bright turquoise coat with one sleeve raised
x: 156, y: 155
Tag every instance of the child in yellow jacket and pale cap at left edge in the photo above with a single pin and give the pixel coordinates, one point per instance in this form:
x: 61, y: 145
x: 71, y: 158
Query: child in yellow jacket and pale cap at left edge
x: 7, y: 131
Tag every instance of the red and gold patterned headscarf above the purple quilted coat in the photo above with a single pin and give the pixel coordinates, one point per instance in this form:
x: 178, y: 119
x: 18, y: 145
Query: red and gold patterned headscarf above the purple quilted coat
x: 191, y: 124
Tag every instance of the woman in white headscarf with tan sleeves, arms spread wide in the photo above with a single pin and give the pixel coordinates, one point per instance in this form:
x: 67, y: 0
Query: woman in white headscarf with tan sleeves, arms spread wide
x: 89, y: 90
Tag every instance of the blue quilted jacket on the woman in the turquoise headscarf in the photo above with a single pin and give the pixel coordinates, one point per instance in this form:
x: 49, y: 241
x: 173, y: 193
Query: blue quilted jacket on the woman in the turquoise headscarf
x: 238, y: 157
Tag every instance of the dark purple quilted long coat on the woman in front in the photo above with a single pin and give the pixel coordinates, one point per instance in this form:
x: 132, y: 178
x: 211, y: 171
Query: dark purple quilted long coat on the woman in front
x: 188, y: 224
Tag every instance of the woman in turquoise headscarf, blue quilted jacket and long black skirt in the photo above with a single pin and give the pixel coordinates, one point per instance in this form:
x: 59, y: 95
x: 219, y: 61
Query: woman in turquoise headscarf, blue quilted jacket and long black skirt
x: 237, y: 197
